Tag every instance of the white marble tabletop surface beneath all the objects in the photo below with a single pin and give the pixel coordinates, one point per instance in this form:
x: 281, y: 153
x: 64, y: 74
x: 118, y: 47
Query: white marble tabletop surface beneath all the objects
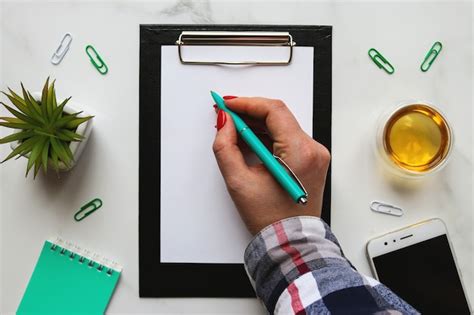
x: 33, y: 210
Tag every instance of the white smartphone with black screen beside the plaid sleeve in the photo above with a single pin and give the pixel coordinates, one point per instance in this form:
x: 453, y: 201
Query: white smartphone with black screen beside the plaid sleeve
x: 417, y: 263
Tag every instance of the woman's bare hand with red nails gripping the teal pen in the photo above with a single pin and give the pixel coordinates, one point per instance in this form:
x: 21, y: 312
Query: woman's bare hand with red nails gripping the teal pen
x: 258, y: 197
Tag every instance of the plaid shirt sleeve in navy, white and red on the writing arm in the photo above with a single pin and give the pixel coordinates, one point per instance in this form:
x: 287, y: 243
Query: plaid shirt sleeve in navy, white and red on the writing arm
x: 297, y: 266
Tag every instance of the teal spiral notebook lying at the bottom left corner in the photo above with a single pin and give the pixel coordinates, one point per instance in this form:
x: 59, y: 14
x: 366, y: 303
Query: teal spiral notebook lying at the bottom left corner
x: 69, y: 280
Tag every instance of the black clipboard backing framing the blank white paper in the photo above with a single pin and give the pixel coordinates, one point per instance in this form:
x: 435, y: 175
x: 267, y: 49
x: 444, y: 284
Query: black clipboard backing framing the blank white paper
x: 158, y: 279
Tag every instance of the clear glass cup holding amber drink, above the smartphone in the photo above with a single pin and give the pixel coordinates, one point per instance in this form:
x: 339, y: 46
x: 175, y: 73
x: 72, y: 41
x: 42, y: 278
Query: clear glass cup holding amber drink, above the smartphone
x: 414, y: 139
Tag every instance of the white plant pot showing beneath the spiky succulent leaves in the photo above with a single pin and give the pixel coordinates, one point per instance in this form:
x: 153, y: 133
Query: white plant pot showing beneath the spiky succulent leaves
x: 76, y: 147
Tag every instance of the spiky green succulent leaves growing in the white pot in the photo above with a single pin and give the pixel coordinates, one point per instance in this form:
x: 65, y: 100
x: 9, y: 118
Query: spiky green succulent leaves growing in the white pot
x: 44, y: 129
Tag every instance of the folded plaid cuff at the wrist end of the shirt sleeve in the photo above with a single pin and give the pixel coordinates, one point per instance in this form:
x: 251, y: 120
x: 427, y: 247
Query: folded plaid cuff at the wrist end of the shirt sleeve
x: 285, y: 250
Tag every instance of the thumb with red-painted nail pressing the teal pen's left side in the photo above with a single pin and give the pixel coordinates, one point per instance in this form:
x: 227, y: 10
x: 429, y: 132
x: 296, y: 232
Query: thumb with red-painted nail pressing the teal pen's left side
x: 228, y: 155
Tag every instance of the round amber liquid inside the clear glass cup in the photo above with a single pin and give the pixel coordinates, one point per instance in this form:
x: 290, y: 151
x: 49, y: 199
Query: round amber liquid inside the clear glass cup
x: 417, y: 138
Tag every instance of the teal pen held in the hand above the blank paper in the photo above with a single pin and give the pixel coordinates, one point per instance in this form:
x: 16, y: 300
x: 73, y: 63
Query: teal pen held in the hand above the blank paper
x: 271, y: 163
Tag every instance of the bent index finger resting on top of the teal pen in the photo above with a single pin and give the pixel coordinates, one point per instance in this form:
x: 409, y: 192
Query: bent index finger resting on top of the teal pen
x: 279, y: 120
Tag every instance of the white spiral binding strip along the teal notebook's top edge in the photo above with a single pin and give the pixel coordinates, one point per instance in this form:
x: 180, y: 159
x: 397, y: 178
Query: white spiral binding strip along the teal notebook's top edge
x: 86, y: 257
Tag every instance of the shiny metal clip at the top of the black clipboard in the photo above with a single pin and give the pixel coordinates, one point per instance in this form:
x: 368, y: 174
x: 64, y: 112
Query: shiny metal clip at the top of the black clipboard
x: 210, y: 38
